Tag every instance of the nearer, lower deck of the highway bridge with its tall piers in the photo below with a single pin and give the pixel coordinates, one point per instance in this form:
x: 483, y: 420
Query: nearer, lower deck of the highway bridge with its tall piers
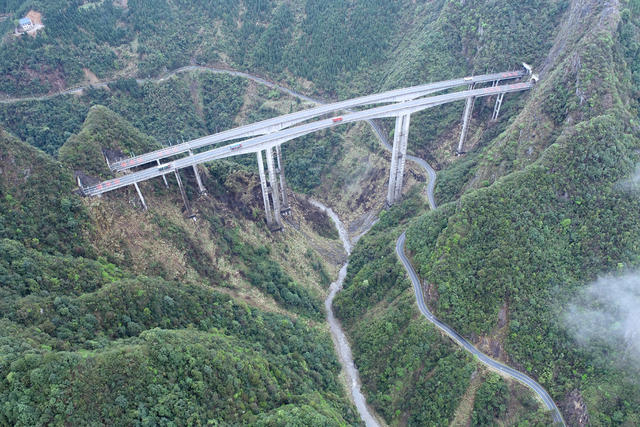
x: 274, y: 190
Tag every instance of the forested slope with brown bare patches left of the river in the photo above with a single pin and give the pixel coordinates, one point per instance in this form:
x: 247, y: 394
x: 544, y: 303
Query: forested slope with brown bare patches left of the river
x: 155, y: 321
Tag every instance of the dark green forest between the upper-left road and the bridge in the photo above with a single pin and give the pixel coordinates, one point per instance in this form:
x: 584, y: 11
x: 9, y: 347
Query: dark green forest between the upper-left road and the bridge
x: 167, y: 111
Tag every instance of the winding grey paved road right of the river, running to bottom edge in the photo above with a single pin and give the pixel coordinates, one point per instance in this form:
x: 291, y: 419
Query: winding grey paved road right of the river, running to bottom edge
x: 504, y: 369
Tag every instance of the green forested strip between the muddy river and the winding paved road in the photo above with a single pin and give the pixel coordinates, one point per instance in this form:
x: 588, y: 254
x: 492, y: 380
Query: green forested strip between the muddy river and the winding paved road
x: 424, y: 376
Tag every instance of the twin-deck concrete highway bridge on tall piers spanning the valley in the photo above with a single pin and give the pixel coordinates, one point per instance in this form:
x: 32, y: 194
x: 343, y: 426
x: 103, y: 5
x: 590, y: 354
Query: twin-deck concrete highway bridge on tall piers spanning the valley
x: 267, y: 137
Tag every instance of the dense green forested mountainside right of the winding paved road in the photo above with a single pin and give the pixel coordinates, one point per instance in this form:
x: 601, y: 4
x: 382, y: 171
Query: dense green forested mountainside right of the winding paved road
x: 535, y: 237
